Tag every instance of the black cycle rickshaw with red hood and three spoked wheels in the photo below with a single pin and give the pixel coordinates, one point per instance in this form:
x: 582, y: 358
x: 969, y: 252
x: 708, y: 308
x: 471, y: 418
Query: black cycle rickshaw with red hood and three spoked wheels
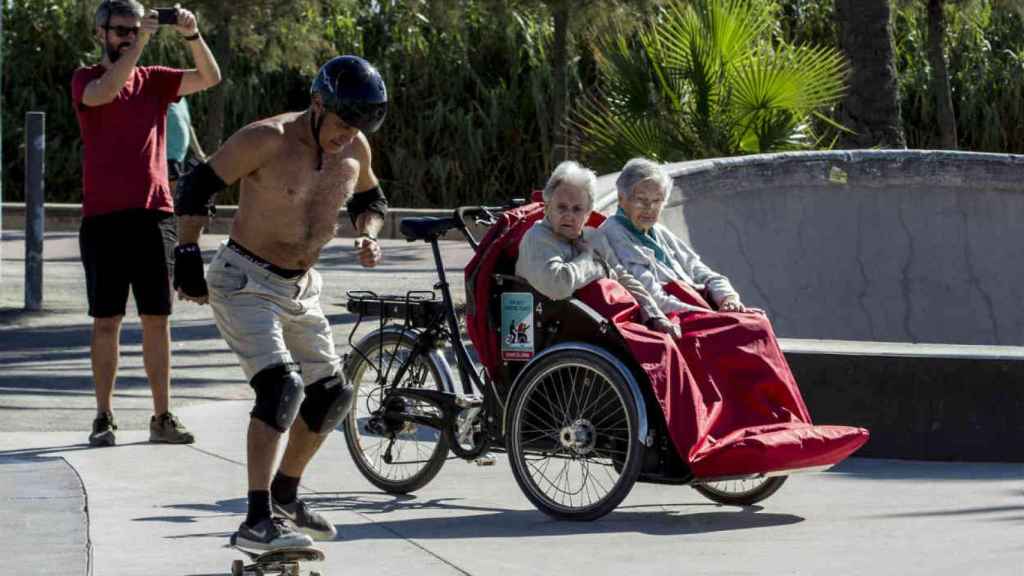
x: 557, y: 388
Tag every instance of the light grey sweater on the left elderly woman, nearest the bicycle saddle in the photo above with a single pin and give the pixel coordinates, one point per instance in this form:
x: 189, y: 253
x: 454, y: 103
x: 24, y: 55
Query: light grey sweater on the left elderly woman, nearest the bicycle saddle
x: 557, y: 268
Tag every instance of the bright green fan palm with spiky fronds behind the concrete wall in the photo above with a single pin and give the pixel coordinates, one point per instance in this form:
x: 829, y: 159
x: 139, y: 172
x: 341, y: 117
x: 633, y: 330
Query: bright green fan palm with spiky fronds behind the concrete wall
x: 702, y: 80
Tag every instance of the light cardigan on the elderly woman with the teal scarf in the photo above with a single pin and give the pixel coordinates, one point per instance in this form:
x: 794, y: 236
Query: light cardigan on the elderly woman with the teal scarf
x: 687, y: 266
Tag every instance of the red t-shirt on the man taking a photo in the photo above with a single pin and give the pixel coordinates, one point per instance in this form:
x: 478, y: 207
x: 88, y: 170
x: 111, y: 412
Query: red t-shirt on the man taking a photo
x: 124, y: 163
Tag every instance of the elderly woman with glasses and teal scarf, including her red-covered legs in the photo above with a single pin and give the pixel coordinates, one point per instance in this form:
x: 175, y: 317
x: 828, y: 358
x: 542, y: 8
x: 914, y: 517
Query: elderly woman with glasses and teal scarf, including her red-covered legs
x: 729, y: 347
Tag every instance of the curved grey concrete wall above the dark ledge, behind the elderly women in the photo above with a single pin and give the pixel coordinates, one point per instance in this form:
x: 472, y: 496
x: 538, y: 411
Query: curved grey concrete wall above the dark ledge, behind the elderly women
x: 867, y: 245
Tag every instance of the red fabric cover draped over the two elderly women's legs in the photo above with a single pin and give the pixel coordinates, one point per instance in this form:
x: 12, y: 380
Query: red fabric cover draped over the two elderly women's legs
x: 732, y: 404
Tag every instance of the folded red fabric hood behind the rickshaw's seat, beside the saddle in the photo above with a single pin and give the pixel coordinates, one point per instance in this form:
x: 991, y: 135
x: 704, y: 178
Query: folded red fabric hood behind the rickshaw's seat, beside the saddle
x: 500, y: 243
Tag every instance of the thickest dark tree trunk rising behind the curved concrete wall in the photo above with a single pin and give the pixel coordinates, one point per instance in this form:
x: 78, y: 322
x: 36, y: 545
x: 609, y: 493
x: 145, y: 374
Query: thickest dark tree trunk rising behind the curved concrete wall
x: 872, y: 105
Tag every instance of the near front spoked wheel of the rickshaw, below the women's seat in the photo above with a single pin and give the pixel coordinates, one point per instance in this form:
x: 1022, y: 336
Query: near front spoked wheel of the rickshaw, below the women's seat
x: 577, y: 408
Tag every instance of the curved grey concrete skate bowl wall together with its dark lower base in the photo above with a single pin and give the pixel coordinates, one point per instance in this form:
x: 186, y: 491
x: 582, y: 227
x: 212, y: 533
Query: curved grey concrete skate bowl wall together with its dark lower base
x: 894, y: 278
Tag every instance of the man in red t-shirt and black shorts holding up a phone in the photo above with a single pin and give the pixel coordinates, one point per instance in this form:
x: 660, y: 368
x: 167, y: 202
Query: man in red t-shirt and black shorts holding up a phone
x: 129, y: 229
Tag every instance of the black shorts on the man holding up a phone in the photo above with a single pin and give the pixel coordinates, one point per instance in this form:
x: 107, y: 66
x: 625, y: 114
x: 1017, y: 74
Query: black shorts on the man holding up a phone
x: 133, y: 249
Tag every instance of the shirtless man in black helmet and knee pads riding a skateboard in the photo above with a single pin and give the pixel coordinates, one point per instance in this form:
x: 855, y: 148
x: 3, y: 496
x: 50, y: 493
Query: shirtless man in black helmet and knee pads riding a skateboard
x: 297, y: 171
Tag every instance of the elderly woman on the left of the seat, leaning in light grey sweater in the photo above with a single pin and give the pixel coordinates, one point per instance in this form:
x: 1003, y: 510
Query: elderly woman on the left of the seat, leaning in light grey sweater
x: 558, y: 257
